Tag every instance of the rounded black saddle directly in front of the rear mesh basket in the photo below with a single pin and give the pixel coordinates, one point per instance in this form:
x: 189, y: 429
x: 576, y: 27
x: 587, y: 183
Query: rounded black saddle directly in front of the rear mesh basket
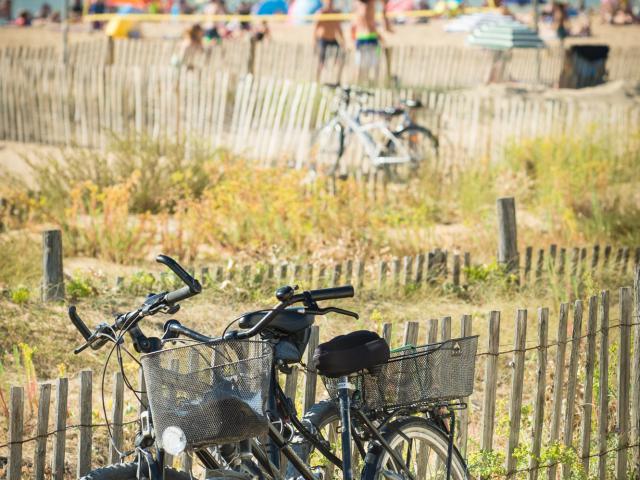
x: 347, y: 354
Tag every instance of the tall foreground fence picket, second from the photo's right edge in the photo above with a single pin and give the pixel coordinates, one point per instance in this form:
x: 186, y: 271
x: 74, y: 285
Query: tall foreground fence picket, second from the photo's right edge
x: 624, y: 351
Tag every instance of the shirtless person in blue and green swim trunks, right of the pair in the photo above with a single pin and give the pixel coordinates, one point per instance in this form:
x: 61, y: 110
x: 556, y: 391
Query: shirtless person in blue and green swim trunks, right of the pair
x: 366, y: 36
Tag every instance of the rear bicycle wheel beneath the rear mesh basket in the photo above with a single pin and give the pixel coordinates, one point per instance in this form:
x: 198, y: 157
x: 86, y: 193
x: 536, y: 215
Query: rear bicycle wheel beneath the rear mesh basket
x: 423, y: 448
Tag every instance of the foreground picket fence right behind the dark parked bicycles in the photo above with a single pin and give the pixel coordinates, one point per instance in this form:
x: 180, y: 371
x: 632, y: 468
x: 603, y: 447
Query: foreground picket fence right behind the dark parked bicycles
x: 564, y: 403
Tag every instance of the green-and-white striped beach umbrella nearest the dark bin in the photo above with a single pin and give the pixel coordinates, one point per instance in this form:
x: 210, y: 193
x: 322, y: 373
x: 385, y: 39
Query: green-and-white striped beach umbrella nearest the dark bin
x: 505, y: 36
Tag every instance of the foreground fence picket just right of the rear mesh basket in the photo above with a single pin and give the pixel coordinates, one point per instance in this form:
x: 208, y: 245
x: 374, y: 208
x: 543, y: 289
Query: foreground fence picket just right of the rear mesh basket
x: 490, y: 382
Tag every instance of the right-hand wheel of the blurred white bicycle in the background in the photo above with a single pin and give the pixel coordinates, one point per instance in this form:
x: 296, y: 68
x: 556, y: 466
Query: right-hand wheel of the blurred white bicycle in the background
x: 420, y: 144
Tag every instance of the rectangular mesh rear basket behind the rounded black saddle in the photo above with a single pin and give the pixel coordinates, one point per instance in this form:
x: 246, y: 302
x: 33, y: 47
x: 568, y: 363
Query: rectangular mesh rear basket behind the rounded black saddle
x: 417, y: 375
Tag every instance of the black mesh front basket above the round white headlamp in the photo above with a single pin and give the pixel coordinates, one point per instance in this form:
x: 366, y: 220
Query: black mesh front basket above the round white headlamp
x: 215, y: 392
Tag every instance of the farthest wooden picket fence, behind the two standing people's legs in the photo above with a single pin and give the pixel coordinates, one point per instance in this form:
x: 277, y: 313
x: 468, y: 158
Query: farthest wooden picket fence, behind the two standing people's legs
x: 438, y: 67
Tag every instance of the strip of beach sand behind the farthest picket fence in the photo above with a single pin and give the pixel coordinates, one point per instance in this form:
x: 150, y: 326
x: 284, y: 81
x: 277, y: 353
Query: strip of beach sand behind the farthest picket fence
x: 431, y: 33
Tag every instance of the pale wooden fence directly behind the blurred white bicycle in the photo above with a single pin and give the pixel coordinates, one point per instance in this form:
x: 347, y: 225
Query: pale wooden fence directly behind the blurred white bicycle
x: 85, y: 105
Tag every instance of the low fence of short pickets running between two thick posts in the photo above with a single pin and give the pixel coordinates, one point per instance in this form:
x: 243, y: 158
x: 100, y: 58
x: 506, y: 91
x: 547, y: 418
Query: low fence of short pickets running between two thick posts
x: 560, y: 266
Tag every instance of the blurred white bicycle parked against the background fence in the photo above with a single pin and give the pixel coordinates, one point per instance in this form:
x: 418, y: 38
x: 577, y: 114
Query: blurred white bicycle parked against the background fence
x: 398, y: 151
